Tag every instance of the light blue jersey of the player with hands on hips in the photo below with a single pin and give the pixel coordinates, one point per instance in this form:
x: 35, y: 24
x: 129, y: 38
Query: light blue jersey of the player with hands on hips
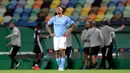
x: 60, y: 24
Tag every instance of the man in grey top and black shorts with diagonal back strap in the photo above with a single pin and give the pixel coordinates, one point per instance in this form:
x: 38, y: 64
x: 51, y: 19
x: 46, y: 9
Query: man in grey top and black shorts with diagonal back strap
x: 95, y: 37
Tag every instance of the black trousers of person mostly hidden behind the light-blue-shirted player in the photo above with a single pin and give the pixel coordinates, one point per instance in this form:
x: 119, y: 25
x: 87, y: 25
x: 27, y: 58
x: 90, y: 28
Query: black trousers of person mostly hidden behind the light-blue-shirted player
x: 68, y: 52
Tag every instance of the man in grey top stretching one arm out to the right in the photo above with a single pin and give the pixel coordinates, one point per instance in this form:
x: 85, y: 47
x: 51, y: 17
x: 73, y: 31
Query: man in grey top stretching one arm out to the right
x: 107, y: 50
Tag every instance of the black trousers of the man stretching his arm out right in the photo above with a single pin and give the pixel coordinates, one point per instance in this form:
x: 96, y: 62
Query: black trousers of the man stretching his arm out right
x: 107, y: 56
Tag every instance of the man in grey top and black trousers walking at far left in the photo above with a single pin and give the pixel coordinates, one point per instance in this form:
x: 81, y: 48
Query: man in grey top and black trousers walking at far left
x: 15, y: 43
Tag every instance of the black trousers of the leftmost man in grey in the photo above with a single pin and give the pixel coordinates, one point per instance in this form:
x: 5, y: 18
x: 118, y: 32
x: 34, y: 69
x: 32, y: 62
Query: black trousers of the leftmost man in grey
x: 13, y: 52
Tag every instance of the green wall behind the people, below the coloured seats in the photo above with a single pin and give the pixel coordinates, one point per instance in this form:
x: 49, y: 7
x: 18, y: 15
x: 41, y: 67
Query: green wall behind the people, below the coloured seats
x: 122, y: 39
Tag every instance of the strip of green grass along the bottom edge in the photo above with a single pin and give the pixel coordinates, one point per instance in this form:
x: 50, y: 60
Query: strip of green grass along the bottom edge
x: 66, y: 71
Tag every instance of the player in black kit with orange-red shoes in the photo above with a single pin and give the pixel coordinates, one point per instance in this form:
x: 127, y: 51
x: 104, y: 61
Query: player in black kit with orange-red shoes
x: 38, y: 50
